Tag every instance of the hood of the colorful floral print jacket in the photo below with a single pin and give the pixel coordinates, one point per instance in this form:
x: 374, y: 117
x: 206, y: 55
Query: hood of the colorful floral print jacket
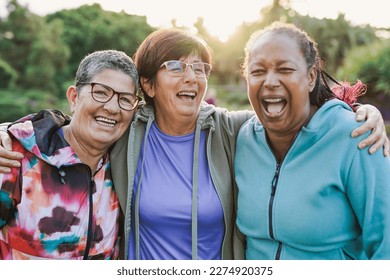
x: 40, y: 134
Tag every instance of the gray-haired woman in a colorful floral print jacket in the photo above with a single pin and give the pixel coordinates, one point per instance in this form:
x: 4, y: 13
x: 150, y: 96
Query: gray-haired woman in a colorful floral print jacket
x: 61, y: 203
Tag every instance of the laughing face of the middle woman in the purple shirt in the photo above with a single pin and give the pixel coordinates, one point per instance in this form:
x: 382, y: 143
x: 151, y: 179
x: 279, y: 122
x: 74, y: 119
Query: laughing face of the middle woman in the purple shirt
x: 178, y: 97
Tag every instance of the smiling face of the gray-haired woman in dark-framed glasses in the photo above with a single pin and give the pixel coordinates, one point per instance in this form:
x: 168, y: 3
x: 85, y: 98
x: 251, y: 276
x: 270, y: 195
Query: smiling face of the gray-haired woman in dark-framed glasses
x: 100, y: 124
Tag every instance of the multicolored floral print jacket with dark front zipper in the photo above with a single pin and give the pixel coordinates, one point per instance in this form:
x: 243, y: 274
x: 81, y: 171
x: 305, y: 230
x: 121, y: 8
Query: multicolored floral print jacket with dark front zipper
x: 53, y: 207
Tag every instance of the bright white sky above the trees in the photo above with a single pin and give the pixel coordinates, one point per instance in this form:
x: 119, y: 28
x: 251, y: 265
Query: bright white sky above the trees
x: 221, y: 17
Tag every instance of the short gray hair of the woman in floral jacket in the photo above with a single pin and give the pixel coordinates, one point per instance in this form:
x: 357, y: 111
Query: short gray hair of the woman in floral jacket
x: 98, y: 61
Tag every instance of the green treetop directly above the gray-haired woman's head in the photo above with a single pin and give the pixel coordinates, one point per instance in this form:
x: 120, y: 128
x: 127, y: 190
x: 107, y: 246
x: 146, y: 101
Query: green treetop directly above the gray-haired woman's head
x: 90, y: 28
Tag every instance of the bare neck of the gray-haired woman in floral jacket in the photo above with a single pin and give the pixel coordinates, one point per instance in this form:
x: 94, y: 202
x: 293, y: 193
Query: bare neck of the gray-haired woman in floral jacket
x: 88, y: 154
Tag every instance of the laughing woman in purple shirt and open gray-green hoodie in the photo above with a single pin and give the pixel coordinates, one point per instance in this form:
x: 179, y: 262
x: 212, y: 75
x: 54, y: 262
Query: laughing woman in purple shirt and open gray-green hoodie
x: 177, y: 188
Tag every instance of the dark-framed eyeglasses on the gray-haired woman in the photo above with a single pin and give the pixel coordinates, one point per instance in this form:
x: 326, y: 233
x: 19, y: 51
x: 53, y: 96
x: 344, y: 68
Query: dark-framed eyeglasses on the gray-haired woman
x: 103, y: 93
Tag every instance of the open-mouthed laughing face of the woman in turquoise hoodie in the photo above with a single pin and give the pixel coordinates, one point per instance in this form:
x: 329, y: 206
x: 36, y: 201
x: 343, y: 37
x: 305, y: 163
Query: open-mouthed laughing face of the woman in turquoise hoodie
x: 279, y: 83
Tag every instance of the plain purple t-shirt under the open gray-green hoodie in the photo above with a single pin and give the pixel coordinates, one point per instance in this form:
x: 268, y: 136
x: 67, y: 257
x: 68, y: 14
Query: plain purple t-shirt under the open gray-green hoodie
x: 165, y: 200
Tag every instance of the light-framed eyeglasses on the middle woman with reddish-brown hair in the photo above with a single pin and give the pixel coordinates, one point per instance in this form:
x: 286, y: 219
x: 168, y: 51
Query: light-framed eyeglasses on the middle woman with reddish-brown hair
x: 177, y: 68
